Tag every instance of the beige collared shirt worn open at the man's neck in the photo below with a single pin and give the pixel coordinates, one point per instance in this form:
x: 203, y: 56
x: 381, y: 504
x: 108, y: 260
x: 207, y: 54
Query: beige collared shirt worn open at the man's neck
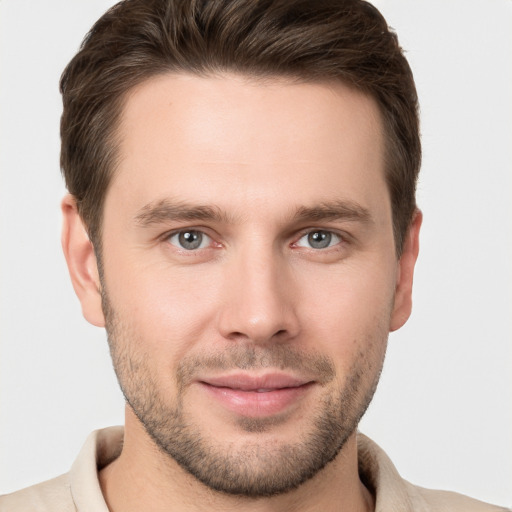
x: 79, y: 490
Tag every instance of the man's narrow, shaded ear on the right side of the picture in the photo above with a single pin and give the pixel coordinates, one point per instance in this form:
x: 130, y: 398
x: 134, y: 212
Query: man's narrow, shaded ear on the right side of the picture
x: 403, y: 293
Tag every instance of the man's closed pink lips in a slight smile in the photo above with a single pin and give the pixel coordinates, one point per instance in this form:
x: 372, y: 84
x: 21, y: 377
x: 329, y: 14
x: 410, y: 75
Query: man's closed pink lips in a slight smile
x: 256, y: 396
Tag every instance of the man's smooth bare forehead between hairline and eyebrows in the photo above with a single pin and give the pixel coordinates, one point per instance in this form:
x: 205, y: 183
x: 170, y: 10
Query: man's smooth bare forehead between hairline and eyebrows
x: 231, y: 141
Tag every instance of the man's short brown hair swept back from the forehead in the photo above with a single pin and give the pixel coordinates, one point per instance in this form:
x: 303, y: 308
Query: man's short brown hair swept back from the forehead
x: 313, y: 40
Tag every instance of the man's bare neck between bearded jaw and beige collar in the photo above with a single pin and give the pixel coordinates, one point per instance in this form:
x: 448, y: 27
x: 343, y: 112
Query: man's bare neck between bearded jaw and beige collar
x: 144, y: 478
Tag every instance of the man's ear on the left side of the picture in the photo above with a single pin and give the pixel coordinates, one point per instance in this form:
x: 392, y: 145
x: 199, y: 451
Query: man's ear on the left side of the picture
x: 82, y: 264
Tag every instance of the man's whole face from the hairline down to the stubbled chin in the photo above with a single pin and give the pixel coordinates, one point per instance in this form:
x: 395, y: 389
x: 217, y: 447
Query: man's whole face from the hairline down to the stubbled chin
x: 249, y: 273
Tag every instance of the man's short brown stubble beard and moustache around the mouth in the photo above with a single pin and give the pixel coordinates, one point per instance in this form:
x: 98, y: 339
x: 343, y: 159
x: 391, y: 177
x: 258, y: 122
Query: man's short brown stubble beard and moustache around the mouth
x: 257, y: 468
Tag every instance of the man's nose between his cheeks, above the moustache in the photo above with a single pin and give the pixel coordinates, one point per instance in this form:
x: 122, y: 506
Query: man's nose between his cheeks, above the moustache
x: 259, y: 303
